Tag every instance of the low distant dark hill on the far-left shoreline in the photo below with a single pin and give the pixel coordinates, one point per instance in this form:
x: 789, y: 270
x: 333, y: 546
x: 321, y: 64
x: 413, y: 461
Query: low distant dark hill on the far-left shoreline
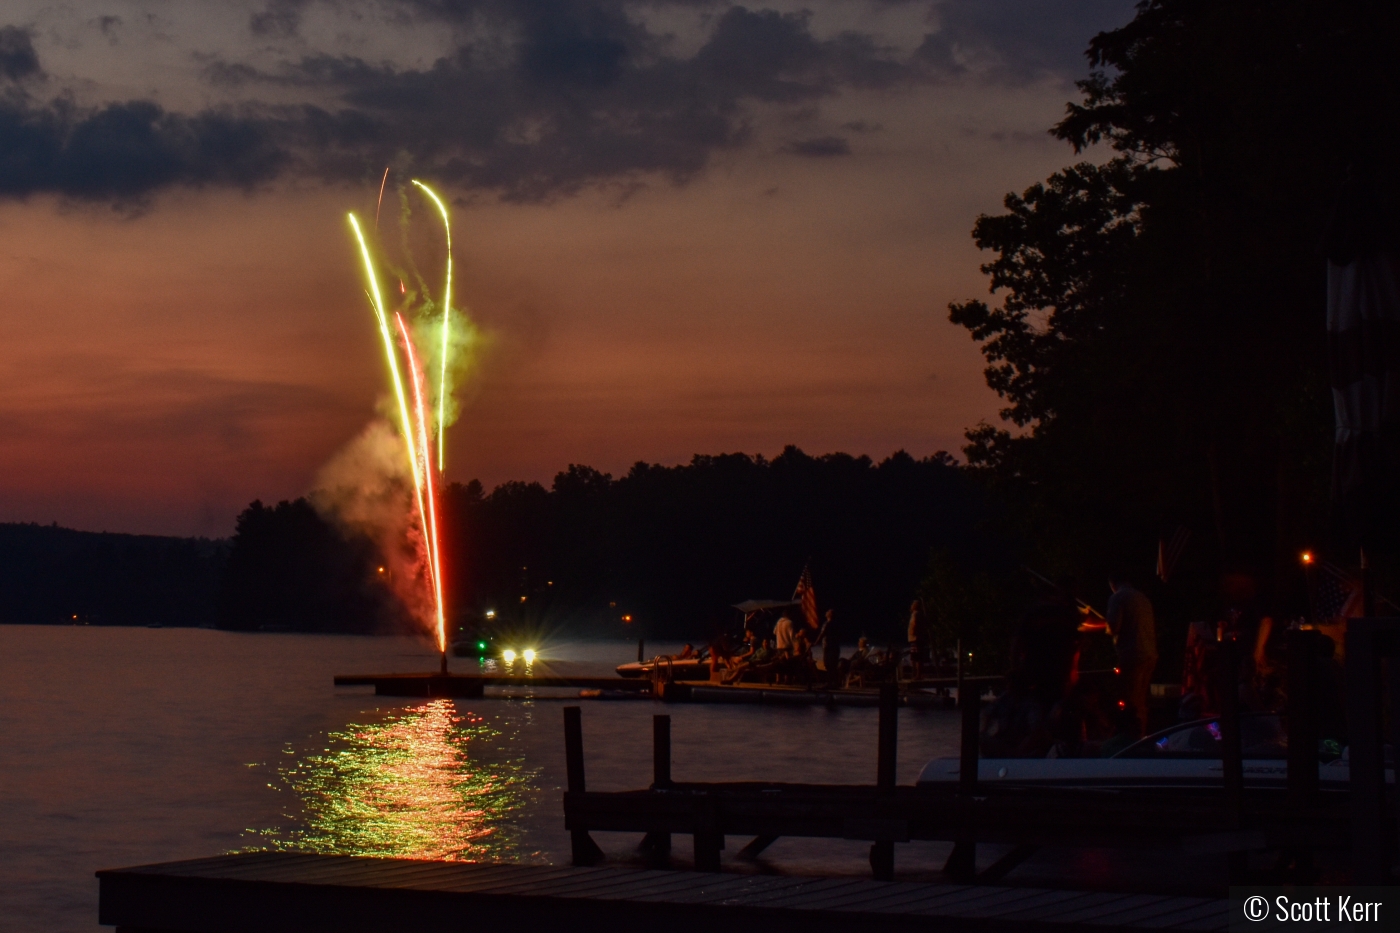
x: 51, y: 575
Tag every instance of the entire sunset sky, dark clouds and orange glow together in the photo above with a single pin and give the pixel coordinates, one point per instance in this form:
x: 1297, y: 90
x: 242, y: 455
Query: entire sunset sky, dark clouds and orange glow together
x: 684, y: 228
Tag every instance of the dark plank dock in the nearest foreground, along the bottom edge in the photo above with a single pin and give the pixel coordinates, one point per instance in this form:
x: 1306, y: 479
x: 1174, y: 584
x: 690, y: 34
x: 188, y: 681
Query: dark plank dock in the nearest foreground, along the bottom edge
x: 288, y: 893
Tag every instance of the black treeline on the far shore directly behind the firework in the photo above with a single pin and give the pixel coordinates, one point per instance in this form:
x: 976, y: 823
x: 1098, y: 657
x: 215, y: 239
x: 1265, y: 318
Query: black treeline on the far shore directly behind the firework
x: 664, y: 551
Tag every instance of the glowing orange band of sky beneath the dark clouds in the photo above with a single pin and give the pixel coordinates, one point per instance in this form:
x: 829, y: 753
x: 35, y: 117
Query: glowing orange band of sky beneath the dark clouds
x: 162, y: 371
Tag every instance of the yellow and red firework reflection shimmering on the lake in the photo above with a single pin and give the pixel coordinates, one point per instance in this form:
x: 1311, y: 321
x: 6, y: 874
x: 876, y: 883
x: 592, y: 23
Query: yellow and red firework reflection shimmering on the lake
x: 428, y: 782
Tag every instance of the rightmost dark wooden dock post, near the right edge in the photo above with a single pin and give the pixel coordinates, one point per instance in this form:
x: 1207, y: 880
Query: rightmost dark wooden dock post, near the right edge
x: 1364, y: 724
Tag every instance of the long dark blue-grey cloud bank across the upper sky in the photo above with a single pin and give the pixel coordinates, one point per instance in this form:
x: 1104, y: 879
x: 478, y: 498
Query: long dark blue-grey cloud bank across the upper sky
x: 545, y: 99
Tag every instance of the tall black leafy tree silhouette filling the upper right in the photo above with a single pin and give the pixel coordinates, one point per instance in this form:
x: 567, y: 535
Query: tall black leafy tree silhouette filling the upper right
x: 1158, y: 331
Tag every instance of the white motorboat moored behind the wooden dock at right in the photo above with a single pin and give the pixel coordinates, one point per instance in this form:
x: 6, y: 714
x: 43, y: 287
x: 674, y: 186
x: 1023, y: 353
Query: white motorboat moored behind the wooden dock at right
x: 1182, y: 757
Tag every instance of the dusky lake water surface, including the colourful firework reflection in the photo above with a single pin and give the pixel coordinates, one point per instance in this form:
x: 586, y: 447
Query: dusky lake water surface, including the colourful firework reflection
x: 122, y: 747
